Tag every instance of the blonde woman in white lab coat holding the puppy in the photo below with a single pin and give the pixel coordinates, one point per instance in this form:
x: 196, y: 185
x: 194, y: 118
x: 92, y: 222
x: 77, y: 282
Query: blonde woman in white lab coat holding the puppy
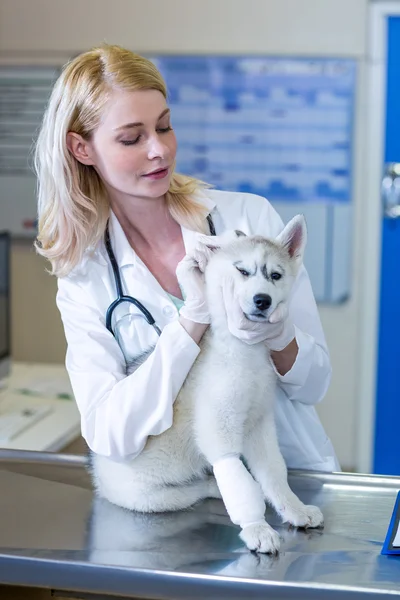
x: 112, y: 206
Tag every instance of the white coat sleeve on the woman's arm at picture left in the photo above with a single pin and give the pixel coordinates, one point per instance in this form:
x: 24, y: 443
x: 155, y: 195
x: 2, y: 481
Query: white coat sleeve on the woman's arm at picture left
x: 119, y: 412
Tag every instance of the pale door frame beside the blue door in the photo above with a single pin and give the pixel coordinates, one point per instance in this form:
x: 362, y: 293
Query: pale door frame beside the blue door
x: 371, y: 246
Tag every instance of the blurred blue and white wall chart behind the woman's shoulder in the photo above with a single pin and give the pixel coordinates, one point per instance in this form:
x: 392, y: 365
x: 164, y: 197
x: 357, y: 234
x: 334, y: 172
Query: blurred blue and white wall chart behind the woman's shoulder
x: 278, y: 127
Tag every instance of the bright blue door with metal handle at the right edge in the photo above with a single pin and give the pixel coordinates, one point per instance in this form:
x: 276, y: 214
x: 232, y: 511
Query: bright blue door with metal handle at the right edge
x: 387, y: 414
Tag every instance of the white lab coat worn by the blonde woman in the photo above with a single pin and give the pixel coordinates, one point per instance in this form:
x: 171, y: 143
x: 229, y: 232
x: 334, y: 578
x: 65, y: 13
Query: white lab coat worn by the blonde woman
x: 119, y: 412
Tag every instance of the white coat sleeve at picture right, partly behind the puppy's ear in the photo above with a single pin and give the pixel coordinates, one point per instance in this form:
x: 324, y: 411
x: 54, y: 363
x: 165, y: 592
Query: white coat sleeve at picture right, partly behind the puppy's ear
x: 309, y: 378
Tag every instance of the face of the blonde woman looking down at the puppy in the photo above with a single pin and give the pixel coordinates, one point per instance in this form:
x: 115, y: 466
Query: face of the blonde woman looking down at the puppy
x: 134, y: 148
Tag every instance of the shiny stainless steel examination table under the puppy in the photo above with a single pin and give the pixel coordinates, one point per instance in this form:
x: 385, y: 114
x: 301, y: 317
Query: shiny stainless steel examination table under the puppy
x: 55, y: 533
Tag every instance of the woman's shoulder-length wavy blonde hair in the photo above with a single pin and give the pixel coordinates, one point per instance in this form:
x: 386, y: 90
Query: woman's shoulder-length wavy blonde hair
x: 73, y: 205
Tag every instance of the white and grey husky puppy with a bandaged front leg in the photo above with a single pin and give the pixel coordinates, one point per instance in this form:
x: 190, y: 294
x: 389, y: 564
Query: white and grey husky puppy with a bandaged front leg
x: 223, y: 415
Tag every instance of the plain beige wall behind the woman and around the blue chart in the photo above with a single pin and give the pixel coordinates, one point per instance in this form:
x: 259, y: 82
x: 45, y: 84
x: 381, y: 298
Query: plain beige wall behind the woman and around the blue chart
x: 48, y: 30
